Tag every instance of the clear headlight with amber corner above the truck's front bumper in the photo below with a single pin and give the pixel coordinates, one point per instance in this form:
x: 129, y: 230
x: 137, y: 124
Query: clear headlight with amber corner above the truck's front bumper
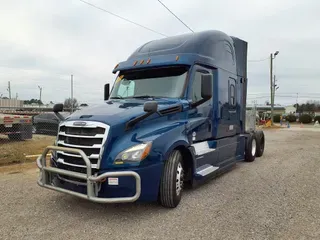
x: 134, y: 154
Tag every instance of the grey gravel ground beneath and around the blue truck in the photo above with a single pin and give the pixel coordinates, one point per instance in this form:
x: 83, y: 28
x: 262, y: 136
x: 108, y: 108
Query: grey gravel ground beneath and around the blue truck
x: 275, y: 197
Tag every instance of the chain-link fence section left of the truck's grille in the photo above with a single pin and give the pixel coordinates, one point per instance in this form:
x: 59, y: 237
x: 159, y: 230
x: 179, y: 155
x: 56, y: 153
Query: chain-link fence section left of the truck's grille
x: 38, y: 126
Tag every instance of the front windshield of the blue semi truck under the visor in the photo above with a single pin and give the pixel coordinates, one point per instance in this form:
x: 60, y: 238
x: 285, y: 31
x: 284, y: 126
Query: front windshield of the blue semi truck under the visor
x: 160, y: 82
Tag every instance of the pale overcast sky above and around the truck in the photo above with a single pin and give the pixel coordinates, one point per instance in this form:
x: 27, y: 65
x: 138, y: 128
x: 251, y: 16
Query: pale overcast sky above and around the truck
x: 43, y: 42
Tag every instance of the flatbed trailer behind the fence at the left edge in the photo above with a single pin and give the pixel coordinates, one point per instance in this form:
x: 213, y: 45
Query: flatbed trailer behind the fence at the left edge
x: 16, y: 127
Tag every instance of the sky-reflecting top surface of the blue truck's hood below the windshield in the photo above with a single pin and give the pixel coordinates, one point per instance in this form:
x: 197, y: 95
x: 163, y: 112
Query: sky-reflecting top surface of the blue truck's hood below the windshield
x: 114, y: 112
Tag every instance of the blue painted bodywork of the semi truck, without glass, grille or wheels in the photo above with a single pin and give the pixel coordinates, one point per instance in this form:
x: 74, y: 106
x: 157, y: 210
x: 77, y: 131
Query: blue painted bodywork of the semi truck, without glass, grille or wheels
x: 219, y: 121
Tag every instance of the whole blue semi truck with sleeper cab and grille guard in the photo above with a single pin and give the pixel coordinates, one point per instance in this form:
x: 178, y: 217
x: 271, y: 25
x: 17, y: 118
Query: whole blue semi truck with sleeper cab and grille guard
x: 175, y: 117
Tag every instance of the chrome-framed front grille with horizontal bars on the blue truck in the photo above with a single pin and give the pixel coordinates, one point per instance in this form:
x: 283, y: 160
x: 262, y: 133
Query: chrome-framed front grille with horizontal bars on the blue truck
x: 89, y: 137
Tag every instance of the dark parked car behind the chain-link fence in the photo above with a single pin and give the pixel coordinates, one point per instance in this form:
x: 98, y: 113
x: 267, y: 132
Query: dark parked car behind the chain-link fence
x: 47, y: 122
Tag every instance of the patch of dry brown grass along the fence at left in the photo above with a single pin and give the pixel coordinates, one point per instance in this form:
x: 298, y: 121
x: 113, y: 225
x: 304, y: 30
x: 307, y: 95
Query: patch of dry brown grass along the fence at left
x: 17, y: 151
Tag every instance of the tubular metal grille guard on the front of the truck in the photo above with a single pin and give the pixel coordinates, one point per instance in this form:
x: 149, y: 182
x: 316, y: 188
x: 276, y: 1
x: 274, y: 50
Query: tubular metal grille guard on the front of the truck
x: 93, y: 182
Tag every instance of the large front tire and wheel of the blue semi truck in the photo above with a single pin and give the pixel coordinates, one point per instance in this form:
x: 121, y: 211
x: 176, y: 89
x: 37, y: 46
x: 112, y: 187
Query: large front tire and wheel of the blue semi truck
x: 172, y: 181
